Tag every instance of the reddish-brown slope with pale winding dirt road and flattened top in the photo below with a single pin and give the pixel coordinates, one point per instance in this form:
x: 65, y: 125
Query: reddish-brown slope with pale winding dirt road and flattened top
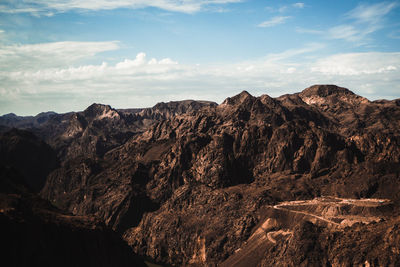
x: 326, y: 231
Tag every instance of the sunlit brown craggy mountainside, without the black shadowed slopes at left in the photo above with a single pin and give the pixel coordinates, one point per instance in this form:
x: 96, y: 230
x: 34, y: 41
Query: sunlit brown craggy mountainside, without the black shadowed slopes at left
x: 189, y: 183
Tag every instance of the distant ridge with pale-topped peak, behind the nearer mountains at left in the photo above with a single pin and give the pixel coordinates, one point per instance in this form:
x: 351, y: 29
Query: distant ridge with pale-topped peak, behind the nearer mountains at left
x: 97, y: 129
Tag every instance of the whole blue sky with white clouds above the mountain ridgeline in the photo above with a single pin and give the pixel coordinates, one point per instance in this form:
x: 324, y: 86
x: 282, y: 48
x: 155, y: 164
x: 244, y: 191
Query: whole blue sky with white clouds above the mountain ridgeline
x: 63, y: 55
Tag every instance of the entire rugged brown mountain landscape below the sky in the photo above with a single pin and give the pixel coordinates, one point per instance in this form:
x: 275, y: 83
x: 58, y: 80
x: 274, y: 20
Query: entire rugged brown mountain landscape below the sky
x: 306, y: 179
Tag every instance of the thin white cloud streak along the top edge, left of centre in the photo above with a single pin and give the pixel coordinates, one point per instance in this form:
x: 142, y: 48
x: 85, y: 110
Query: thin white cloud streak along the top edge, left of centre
x: 39, y: 7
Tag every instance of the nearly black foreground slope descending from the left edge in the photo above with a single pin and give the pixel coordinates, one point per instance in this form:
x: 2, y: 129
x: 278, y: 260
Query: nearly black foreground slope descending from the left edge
x: 34, y: 233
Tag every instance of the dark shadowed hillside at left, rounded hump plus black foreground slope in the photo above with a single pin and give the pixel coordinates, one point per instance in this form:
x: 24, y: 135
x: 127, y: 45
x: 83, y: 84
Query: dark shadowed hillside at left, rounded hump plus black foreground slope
x: 35, y: 233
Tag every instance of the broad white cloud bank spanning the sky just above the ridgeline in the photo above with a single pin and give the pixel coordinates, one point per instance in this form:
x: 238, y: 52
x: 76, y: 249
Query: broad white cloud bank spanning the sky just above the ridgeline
x: 141, y: 81
